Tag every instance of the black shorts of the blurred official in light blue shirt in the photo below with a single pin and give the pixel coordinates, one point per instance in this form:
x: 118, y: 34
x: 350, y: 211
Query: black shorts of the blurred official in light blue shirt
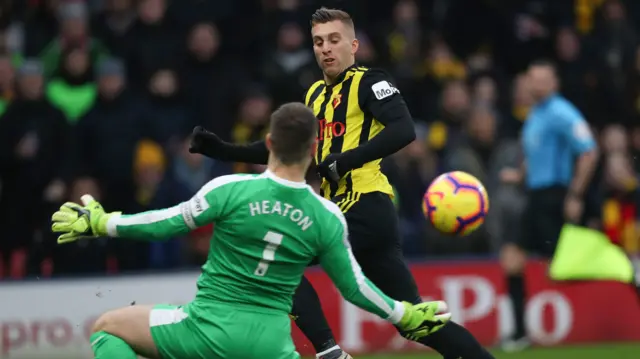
x: 543, y: 221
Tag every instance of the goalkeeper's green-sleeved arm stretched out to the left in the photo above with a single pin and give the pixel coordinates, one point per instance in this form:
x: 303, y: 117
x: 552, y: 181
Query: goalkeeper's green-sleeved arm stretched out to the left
x: 203, y: 208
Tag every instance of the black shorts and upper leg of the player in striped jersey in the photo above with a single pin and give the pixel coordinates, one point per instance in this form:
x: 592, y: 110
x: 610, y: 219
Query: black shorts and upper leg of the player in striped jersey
x: 375, y: 239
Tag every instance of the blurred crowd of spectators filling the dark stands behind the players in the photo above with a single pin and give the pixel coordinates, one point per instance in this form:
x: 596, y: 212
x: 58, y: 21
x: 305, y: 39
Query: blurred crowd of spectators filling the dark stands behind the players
x: 99, y: 96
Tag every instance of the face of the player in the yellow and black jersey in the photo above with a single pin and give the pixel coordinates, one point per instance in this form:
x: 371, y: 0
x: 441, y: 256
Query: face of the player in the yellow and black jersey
x: 334, y: 45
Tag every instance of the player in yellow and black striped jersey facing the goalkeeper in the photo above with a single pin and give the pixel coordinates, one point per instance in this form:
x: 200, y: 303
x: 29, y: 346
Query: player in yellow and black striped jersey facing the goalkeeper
x: 362, y: 119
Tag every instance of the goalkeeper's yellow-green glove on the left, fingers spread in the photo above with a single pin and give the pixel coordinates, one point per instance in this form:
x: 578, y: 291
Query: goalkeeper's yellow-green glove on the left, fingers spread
x: 76, y: 221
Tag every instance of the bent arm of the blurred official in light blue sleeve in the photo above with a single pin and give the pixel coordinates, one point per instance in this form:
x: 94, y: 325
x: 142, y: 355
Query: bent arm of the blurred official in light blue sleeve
x: 575, y: 129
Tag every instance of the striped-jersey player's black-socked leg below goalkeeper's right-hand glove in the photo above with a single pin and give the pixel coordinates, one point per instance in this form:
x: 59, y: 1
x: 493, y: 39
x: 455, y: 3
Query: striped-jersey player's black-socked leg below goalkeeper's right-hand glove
x: 454, y: 341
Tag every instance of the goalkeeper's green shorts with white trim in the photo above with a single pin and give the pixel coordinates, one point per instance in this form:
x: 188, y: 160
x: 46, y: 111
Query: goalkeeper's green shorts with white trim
x: 225, y: 331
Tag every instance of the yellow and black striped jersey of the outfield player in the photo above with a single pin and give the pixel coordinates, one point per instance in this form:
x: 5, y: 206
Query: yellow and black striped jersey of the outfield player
x: 351, y: 112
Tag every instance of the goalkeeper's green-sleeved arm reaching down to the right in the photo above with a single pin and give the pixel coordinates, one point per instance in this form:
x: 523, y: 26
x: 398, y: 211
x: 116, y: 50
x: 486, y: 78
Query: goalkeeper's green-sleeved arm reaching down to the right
x: 340, y: 264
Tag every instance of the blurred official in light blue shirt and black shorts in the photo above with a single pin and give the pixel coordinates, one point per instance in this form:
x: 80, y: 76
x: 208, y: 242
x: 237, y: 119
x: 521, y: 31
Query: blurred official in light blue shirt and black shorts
x: 560, y: 157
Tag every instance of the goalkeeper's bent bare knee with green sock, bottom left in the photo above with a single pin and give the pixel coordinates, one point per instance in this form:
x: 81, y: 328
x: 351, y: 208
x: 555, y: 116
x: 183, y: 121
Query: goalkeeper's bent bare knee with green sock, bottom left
x: 123, y: 334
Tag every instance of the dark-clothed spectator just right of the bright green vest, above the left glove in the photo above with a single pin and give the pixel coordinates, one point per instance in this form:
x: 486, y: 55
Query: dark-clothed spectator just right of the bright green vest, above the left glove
x: 107, y: 136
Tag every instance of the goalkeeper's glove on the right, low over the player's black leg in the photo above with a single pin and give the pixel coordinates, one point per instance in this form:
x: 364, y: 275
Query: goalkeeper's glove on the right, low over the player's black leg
x: 420, y: 320
